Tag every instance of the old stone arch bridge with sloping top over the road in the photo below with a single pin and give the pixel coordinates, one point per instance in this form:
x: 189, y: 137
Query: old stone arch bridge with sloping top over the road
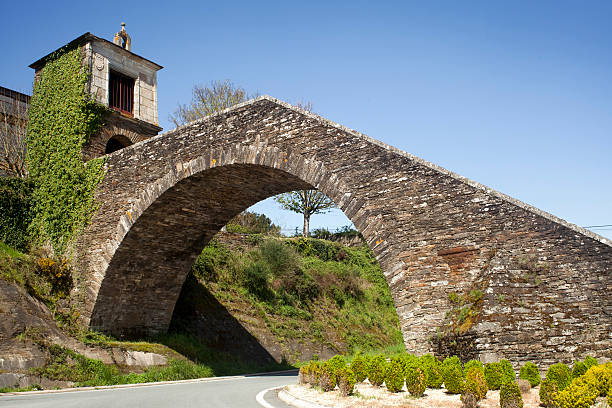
x: 546, y: 282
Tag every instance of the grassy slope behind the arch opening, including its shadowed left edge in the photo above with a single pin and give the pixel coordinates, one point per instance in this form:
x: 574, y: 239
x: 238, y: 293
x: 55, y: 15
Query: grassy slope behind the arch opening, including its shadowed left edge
x: 298, y: 297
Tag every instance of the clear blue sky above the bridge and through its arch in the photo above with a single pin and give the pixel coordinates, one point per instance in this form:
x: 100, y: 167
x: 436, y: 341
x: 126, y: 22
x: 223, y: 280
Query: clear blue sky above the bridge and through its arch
x: 516, y: 95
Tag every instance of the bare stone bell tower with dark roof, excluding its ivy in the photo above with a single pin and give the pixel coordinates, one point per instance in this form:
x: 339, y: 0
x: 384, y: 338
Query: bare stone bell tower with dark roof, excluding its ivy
x: 124, y: 82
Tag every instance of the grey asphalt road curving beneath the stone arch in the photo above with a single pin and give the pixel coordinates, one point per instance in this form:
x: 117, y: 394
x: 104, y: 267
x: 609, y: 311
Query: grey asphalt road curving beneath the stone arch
x: 238, y: 392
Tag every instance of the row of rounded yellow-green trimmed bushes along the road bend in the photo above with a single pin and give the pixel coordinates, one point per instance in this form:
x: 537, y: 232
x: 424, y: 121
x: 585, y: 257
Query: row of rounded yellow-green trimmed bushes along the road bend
x: 562, y: 388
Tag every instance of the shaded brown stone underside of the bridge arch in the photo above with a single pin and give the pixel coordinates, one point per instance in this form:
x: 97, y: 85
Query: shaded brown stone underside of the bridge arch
x: 145, y: 276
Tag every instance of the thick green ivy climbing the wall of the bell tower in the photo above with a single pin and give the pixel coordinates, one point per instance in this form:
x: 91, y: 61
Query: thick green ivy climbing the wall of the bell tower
x: 62, y: 117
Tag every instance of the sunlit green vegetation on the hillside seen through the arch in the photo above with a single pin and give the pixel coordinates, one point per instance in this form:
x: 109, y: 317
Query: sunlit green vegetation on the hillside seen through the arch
x: 306, y: 288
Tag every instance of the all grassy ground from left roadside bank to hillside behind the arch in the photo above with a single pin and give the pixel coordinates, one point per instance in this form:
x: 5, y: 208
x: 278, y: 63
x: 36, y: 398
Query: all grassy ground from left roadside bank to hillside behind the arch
x: 299, y: 293
